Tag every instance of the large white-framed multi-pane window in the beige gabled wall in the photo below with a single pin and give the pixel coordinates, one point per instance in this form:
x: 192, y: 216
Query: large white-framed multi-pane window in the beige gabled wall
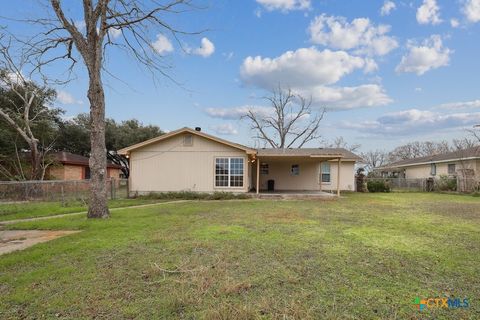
x: 229, y: 172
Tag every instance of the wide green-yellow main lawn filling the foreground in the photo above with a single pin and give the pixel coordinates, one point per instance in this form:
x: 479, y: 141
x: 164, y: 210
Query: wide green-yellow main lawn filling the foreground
x: 365, y: 256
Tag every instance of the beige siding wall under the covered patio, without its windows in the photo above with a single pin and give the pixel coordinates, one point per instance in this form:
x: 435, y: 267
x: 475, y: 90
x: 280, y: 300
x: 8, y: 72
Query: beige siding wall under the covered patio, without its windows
x: 309, y: 177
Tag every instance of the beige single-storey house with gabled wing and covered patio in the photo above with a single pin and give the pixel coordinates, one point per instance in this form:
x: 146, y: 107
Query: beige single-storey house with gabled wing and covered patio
x: 190, y: 160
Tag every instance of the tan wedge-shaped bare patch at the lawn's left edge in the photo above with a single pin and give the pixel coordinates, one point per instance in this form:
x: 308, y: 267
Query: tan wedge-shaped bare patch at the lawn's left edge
x: 13, y: 240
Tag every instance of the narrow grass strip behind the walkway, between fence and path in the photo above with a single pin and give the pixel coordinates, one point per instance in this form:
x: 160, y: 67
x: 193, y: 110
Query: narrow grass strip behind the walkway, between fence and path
x: 22, y: 210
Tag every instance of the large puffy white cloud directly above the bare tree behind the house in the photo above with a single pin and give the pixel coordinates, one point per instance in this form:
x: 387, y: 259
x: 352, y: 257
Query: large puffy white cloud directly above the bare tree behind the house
x: 303, y: 67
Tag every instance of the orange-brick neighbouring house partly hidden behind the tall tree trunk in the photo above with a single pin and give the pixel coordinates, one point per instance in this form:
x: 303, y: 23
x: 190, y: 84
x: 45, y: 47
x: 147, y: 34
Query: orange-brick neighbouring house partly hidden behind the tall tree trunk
x: 69, y: 166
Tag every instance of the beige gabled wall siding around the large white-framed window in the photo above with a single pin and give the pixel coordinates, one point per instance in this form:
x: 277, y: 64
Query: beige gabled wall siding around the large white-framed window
x: 168, y: 165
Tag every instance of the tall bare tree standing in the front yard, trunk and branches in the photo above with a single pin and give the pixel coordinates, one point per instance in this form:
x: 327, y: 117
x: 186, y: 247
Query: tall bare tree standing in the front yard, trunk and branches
x: 136, y: 22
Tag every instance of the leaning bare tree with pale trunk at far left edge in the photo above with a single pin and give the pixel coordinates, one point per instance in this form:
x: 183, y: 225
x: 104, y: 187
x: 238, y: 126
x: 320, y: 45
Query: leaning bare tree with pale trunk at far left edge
x: 21, y: 107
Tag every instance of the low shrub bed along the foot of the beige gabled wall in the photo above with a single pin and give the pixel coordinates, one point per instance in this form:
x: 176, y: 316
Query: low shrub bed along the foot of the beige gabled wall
x: 190, y: 195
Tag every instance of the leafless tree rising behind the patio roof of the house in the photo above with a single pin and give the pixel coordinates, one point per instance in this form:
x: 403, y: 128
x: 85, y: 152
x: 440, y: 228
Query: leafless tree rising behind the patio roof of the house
x: 292, y: 122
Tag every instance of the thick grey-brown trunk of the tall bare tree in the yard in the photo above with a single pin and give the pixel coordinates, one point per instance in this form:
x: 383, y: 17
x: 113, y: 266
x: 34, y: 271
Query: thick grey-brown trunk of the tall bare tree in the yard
x: 98, y: 207
